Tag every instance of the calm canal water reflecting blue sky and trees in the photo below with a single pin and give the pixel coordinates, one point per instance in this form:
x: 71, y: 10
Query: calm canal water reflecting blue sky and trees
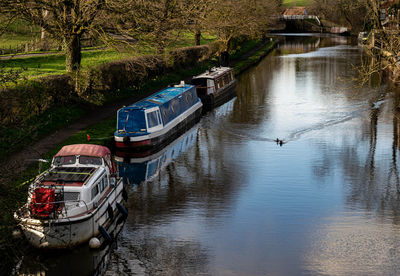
x: 229, y: 201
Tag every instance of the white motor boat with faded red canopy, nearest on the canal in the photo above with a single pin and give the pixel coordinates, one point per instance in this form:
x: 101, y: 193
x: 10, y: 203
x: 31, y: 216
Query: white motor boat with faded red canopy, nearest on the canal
x: 79, y: 199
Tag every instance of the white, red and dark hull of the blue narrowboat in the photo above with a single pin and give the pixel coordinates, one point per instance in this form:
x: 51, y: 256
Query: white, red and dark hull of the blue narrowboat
x: 156, y: 141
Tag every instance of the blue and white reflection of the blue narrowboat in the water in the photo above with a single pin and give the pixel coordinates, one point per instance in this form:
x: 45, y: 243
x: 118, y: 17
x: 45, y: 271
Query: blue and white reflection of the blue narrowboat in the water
x: 137, y: 168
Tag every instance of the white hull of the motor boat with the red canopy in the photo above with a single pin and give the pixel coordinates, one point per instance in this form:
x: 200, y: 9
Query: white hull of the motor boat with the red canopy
x: 70, y: 232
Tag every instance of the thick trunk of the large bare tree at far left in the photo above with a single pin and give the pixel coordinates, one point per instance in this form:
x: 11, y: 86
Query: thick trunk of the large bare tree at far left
x: 73, y: 54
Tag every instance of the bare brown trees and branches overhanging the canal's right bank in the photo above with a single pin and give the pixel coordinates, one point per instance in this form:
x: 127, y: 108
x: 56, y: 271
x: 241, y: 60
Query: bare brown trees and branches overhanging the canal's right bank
x: 379, y: 23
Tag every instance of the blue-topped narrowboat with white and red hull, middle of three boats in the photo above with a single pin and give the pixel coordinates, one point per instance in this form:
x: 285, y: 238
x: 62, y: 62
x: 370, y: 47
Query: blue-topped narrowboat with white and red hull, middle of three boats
x: 157, y: 120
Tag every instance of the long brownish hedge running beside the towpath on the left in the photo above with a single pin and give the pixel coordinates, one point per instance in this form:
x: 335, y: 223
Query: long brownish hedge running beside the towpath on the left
x: 95, y: 85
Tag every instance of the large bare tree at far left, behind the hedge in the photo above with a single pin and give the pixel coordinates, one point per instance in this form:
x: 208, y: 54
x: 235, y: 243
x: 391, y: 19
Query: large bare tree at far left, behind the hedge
x: 64, y: 20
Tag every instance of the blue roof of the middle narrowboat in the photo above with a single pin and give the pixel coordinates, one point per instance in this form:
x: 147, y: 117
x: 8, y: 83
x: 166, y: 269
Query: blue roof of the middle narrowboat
x: 161, y: 97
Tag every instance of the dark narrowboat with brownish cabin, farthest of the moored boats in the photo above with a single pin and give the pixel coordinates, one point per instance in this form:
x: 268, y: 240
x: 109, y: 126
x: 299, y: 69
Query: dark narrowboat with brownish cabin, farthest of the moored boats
x: 215, y: 86
